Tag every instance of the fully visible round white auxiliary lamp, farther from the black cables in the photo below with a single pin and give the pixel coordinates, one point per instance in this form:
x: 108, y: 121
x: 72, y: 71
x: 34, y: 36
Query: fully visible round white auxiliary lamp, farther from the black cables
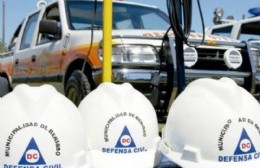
x: 233, y: 58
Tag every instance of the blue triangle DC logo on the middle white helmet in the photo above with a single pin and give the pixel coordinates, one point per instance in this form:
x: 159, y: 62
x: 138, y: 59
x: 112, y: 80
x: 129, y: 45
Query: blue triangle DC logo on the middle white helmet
x: 125, y: 140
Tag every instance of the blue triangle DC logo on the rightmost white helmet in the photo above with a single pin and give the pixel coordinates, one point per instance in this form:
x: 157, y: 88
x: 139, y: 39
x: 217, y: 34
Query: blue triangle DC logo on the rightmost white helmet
x: 244, y: 145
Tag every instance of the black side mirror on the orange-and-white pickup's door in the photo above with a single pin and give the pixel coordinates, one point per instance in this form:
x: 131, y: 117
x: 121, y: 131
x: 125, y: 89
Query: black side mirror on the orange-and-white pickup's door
x: 50, y: 27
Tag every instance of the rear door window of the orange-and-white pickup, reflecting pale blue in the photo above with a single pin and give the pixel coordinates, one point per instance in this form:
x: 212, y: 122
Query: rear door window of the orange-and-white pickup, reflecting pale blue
x: 29, y: 31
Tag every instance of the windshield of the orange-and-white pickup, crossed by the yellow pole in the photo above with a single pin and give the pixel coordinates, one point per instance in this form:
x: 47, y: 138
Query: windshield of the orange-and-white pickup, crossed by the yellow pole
x: 125, y: 16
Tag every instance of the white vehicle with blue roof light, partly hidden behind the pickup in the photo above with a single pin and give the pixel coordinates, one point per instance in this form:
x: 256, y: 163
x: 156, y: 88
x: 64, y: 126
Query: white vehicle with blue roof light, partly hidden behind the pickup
x: 247, y: 30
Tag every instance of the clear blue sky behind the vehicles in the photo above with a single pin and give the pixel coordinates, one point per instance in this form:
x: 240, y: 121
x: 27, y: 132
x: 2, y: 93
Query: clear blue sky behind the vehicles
x: 16, y: 10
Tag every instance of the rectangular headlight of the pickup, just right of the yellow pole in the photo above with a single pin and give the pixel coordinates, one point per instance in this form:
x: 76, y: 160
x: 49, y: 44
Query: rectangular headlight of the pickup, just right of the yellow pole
x: 144, y: 54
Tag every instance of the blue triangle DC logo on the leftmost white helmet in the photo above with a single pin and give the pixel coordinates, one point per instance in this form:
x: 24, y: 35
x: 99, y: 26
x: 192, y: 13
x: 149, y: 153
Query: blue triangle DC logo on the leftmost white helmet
x: 32, y: 155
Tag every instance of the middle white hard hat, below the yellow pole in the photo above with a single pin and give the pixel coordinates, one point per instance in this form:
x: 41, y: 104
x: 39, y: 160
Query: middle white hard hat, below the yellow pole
x: 121, y: 126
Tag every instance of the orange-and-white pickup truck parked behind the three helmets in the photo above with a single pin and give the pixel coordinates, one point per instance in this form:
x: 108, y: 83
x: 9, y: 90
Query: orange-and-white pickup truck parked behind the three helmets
x: 51, y: 44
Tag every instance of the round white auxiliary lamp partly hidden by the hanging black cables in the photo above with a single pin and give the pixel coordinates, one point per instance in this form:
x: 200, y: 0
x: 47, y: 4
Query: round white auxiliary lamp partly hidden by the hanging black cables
x: 190, y: 56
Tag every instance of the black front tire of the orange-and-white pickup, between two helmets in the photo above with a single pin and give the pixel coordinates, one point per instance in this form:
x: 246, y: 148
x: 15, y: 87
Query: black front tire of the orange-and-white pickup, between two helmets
x: 77, y: 87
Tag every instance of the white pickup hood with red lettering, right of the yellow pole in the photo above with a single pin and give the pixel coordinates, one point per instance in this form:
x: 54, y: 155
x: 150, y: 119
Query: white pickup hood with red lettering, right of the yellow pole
x: 161, y: 33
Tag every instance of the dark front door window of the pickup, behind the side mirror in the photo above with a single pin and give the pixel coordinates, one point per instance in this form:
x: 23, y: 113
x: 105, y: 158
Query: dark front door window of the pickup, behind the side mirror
x: 51, y: 13
